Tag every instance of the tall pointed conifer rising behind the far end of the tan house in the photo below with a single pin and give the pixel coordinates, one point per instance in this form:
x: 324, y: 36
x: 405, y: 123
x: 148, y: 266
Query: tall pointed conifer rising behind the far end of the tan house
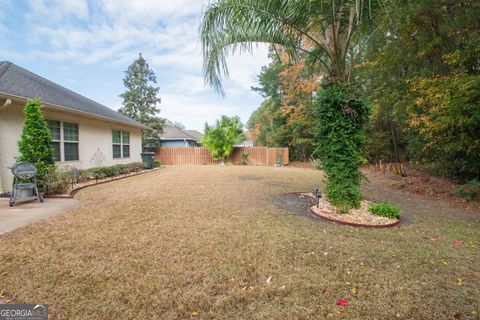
x: 141, y: 98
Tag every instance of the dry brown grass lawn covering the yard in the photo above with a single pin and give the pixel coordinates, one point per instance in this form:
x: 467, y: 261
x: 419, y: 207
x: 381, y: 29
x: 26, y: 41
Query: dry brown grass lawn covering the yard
x: 200, y: 242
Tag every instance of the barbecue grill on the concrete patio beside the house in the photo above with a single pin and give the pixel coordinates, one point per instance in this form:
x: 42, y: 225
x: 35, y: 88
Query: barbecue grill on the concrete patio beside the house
x: 24, y: 183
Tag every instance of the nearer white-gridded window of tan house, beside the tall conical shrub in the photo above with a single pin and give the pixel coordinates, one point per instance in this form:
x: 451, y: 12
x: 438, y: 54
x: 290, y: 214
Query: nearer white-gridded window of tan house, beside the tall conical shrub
x: 69, y: 140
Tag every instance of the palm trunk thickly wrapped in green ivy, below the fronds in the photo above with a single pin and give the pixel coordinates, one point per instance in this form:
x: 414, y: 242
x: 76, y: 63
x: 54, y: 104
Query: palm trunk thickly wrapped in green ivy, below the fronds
x: 340, y: 140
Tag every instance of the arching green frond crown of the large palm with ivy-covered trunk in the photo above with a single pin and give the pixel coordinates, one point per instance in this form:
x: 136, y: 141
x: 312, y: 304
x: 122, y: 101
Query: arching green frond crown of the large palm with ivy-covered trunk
x: 321, y: 30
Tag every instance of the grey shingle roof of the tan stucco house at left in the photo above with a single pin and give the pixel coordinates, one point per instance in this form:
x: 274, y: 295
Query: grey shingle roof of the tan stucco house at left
x: 19, y: 82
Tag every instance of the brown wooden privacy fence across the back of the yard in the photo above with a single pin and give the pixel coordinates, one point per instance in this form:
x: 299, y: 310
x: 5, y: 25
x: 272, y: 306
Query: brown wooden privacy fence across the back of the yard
x: 258, y: 156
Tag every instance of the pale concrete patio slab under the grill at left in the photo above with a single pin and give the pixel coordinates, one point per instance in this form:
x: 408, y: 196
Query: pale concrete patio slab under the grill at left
x: 24, y: 213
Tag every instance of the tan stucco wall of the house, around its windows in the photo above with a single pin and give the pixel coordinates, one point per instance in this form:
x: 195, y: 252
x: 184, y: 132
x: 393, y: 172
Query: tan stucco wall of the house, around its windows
x: 94, y: 135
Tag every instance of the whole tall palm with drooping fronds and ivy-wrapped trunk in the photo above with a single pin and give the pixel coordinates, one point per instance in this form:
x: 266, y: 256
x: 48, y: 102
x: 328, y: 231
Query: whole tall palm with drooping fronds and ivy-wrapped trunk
x: 326, y: 34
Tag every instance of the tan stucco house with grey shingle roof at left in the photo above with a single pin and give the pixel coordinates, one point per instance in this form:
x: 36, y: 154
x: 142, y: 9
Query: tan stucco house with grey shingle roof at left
x: 84, y: 133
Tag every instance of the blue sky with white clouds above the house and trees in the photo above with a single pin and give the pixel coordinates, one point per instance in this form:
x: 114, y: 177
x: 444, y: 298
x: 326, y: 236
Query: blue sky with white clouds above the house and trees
x: 86, y: 46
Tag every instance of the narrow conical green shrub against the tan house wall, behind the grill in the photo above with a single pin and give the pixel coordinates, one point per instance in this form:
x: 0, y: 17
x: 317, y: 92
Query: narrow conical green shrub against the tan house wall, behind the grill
x: 35, y: 144
